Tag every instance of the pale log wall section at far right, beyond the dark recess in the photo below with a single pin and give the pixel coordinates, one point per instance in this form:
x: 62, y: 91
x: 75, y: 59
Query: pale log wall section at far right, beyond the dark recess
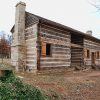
x: 93, y: 47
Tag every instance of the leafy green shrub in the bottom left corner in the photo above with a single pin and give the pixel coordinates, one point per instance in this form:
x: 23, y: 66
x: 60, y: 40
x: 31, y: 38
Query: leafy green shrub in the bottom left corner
x: 12, y: 88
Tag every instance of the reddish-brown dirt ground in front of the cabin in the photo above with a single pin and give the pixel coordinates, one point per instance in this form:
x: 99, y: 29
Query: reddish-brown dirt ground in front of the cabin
x: 66, y: 85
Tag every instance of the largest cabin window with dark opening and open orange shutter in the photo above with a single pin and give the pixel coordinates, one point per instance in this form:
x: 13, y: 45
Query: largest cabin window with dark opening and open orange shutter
x: 45, y: 49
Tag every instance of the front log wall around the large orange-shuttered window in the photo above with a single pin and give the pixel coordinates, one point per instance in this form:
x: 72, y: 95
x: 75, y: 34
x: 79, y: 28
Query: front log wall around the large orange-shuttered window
x: 60, y: 47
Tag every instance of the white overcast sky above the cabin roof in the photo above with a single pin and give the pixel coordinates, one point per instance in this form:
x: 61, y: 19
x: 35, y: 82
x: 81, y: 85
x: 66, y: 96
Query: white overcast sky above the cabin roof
x: 77, y: 14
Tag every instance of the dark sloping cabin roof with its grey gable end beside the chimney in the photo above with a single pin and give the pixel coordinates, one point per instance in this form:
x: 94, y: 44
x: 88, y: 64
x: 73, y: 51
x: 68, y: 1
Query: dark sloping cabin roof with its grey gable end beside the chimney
x: 30, y: 19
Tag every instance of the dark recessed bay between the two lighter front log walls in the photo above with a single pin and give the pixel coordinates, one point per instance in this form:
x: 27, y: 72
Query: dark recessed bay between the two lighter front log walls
x: 76, y: 52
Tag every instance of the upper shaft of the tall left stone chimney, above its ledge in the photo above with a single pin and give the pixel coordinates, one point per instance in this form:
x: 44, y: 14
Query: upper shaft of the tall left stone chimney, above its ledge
x: 20, y: 22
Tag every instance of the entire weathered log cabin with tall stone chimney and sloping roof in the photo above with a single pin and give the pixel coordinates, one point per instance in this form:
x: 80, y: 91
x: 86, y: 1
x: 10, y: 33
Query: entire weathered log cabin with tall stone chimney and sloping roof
x: 40, y: 43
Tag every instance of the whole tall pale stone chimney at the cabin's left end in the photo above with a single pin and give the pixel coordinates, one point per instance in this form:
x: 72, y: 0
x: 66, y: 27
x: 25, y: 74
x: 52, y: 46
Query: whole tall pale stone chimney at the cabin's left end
x: 18, y: 43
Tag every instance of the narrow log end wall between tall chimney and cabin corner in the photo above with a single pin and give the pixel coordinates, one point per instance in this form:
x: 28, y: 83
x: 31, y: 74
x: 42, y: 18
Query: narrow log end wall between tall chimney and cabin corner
x: 31, y: 47
